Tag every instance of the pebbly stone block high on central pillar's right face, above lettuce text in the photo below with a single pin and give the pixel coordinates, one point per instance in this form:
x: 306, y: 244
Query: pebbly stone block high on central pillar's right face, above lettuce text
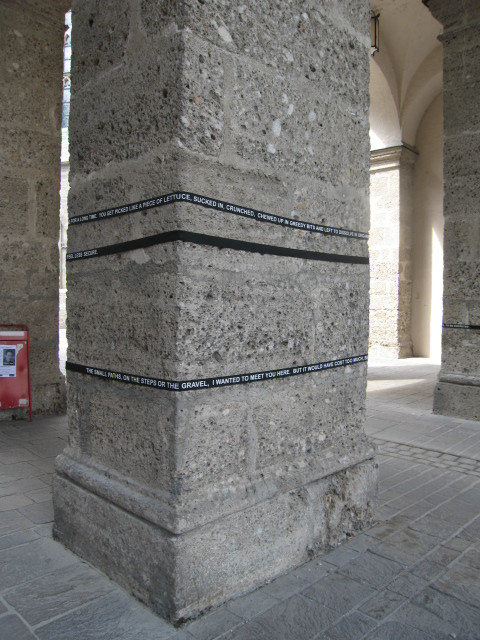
x: 266, y: 128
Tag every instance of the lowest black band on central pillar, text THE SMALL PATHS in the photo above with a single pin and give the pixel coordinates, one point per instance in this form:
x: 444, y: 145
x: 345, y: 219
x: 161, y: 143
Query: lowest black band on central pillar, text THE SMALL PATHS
x: 220, y: 381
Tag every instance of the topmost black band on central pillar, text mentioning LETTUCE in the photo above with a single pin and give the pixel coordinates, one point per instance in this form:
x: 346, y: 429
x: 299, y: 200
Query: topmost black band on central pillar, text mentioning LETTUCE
x: 218, y: 205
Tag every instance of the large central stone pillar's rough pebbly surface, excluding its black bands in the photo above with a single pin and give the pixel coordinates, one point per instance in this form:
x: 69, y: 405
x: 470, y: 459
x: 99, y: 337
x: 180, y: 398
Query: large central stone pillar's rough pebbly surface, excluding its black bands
x: 188, y: 499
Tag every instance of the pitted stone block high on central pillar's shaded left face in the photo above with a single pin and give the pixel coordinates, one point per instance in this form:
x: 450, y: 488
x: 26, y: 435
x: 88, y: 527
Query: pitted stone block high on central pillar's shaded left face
x: 125, y: 120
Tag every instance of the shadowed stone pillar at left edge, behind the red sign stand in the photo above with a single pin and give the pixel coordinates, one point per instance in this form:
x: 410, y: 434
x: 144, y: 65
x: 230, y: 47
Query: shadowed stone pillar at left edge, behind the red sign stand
x: 31, y: 37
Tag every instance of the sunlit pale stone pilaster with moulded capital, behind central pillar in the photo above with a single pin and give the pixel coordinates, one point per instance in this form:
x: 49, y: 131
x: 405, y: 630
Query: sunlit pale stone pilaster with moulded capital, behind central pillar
x: 391, y: 245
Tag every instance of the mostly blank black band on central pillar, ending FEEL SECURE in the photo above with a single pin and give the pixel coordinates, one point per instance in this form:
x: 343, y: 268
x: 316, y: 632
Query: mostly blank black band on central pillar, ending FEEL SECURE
x: 213, y: 241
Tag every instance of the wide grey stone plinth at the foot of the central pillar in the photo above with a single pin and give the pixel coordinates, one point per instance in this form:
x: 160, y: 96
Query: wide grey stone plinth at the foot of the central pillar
x: 181, y: 575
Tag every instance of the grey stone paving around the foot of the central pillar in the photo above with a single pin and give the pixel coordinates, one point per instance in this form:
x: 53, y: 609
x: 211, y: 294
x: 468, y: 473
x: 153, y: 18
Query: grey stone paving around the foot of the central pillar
x: 415, y: 574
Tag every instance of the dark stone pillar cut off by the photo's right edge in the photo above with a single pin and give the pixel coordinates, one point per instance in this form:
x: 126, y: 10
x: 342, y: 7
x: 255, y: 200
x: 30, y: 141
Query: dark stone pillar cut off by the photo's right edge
x: 458, y: 389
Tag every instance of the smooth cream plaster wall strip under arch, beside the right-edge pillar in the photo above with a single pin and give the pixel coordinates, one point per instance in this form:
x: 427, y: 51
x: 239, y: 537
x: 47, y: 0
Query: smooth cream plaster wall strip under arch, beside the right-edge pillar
x: 427, y: 289
